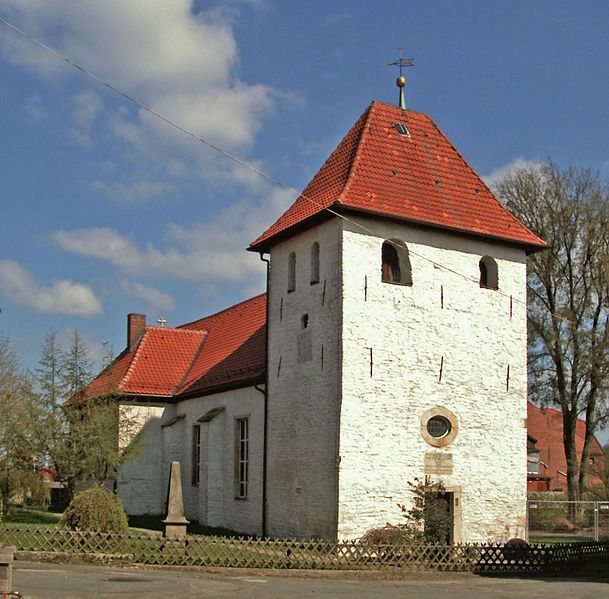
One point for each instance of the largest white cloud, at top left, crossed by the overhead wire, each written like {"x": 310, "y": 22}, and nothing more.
{"x": 178, "y": 62}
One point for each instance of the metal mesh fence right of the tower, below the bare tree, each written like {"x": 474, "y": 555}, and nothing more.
{"x": 565, "y": 521}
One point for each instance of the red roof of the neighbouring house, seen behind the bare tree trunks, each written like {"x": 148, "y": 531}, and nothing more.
{"x": 546, "y": 426}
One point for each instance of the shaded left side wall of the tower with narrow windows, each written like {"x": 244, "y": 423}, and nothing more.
{"x": 304, "y": 392}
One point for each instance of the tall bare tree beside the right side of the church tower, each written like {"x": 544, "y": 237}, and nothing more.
{"x": 568, "y": 299}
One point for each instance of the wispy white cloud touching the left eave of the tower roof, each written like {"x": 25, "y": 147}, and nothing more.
{"x": 208, "y": 253}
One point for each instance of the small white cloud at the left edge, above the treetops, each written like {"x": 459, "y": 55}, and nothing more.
{"x": 62, "y": 297}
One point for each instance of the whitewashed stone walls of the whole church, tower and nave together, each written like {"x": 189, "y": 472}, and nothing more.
{"x": 342, "y": 442}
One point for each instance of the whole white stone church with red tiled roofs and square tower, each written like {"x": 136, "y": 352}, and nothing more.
{"x": 390, "y": 345}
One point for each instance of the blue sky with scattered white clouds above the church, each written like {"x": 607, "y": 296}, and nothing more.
{"x": 107, "y": 211}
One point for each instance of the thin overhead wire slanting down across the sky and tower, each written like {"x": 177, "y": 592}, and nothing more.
{"x": 398, "y": 244}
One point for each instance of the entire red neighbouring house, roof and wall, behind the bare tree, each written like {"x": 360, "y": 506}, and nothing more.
{"x": 547, "y": 464}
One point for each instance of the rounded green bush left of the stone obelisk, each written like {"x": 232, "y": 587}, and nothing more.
{"x": 96, "y": 510}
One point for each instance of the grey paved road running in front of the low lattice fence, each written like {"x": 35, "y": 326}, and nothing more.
{"x": 58, "y": 581}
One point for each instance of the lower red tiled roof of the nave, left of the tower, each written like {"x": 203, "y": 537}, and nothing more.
{"x": 225, "y": 348}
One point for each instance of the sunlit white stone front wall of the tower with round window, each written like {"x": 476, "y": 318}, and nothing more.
{"x": 477, "y": 336}
